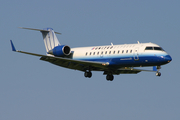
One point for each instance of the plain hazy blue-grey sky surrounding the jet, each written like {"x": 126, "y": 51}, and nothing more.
{"x": 31, "y": 89}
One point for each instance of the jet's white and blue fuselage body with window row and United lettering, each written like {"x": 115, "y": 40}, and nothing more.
{"x": 123, "y": 55}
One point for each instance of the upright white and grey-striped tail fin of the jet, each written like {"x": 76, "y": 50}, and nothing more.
{"x": 50, "y": 39}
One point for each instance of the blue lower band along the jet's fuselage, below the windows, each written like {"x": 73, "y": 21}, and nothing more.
{"x": 128, "y": 59}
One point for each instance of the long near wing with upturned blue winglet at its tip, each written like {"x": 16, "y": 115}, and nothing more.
{"x": 68, "y": 62}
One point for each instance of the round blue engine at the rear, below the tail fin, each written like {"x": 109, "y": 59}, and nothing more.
{"x": 60, "y": 51}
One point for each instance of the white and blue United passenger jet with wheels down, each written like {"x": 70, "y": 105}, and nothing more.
{"x": 110, "y": 59}
